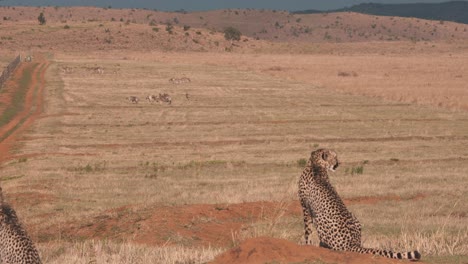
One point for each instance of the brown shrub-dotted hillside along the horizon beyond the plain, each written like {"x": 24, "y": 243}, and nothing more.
{"x": 280, "y": 26}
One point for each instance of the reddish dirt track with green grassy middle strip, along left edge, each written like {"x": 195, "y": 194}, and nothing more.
{"x": 28, "y": 79}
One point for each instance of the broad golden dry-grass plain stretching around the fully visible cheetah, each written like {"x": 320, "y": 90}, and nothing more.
{"x": 240, "y": 137}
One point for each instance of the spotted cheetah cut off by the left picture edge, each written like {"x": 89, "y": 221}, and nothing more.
{"x": 15, "y": 245}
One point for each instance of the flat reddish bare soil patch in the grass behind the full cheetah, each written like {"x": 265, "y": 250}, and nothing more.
{"x": 191, "y": 225}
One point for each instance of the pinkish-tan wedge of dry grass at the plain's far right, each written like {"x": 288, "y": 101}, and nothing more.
{"x": 419, "y": 73}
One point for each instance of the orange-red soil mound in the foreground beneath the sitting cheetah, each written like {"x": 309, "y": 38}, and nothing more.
{"x": 272, "y": 250}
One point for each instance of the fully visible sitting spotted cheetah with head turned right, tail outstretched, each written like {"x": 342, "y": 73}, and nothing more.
{"x": 323, "y": 208}
